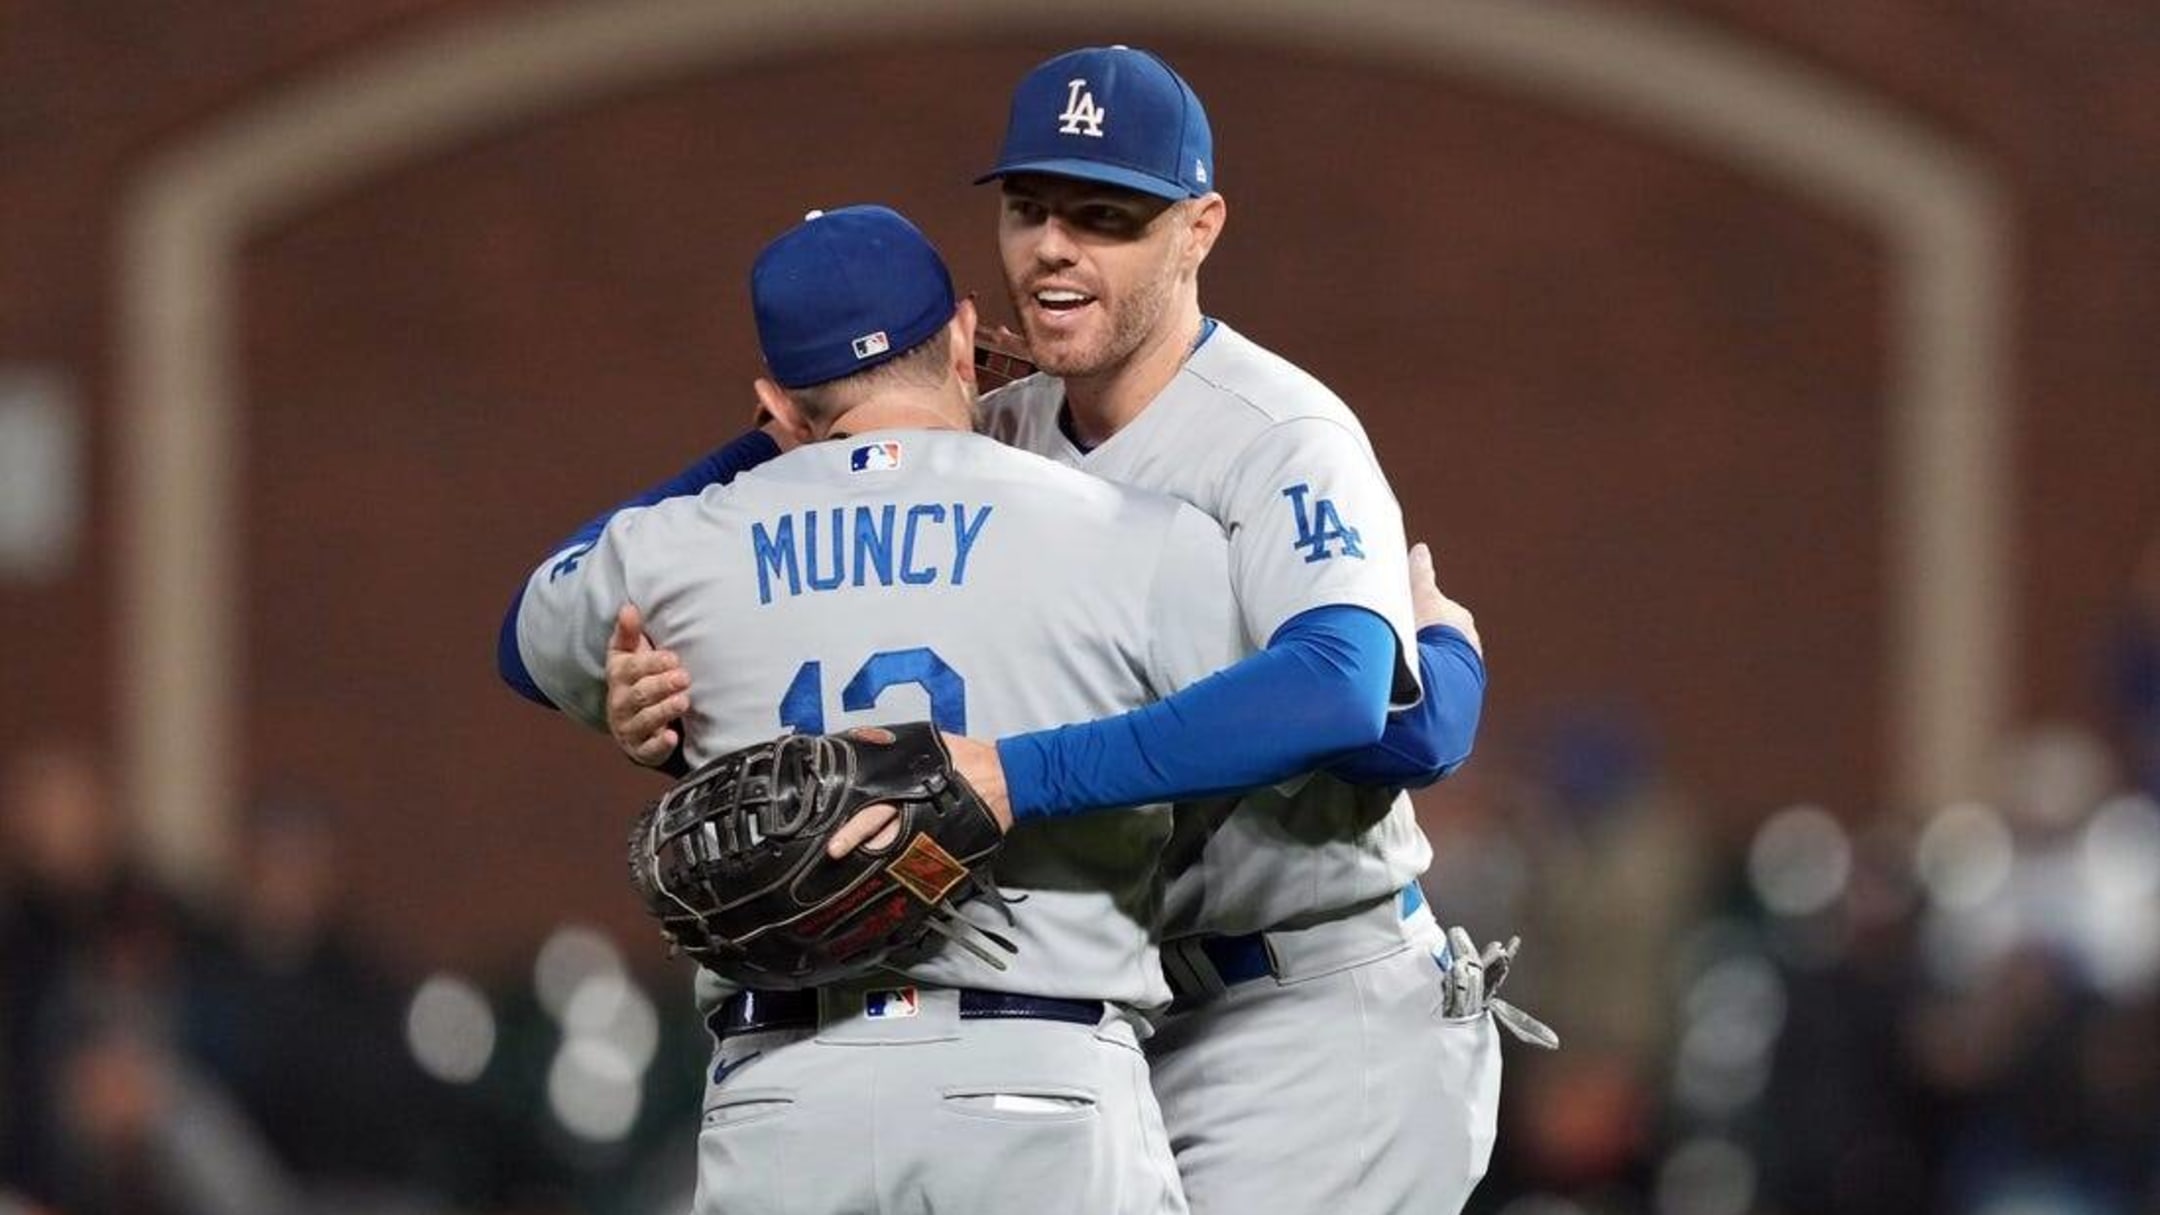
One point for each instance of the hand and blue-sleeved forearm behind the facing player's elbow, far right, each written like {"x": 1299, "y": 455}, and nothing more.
{"x": 1433, "y": 738}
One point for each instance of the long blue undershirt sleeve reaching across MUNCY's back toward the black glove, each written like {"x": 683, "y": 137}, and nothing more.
{"x": 1319, "y": 691}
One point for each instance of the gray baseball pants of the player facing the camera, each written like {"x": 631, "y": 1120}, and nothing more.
{"x": 1332, "y": 1084}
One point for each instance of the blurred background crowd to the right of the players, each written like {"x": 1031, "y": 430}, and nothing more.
{"x": 1833, "y": 1015}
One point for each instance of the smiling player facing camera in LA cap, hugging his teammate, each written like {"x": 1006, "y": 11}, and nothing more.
{"x": 1295, "y": 935}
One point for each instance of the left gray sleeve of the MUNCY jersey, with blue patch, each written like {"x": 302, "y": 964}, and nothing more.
{"x": 569, "y": 613}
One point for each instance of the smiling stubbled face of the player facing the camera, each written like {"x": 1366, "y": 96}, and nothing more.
{"x": 1090, "y": 269}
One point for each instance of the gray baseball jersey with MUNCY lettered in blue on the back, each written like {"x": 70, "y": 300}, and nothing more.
{"x": 908, "y": 576}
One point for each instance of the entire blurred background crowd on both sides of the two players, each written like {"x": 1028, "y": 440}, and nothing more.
{"x": 1835, "y": 1013}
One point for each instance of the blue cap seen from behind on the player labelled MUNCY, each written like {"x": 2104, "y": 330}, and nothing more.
{"x": 843, "y": 293}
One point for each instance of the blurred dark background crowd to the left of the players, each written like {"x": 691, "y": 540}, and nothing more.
{"x": 170, "y": 1058}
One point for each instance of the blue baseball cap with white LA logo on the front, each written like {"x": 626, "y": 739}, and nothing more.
{"x": 1109, "y": 114}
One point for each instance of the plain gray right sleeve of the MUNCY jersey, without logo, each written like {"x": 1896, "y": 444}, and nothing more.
{"x": 1196, "y": 628}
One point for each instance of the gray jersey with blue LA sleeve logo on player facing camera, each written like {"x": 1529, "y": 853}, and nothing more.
{"x": 1284, "y": 466}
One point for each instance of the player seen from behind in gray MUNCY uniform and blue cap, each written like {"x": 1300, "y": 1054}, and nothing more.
{"x": 915, "y": 570}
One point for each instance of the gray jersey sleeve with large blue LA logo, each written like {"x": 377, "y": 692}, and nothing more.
{"x": 1314, "y": 524}
